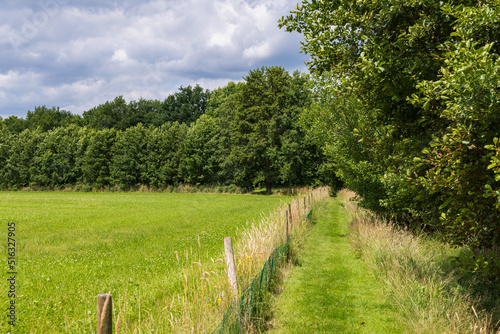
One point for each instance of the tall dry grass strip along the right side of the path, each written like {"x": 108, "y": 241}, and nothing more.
{"x": 417, "y": 275}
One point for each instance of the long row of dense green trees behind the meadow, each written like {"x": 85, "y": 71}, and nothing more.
{"x": 245, "y": 134}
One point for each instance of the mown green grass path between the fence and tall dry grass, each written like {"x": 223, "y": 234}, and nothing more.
{"x": 330, "y": 290}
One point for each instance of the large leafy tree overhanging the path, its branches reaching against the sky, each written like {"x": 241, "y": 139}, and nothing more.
{"x": 371, "y": 61}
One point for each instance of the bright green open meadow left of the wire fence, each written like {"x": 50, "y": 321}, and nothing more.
{"x": 72, "y": 246}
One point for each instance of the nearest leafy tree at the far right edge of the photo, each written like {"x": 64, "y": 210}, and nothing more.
{"x": 460, "y": 169}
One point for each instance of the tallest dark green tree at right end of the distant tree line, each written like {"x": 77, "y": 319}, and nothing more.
{"x": 262, "y": 138}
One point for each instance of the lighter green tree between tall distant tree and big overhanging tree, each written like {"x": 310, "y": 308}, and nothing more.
{"x": 339, "y": 123}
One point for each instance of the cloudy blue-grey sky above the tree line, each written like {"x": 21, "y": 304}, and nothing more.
{"x": 77, "y": 54}
